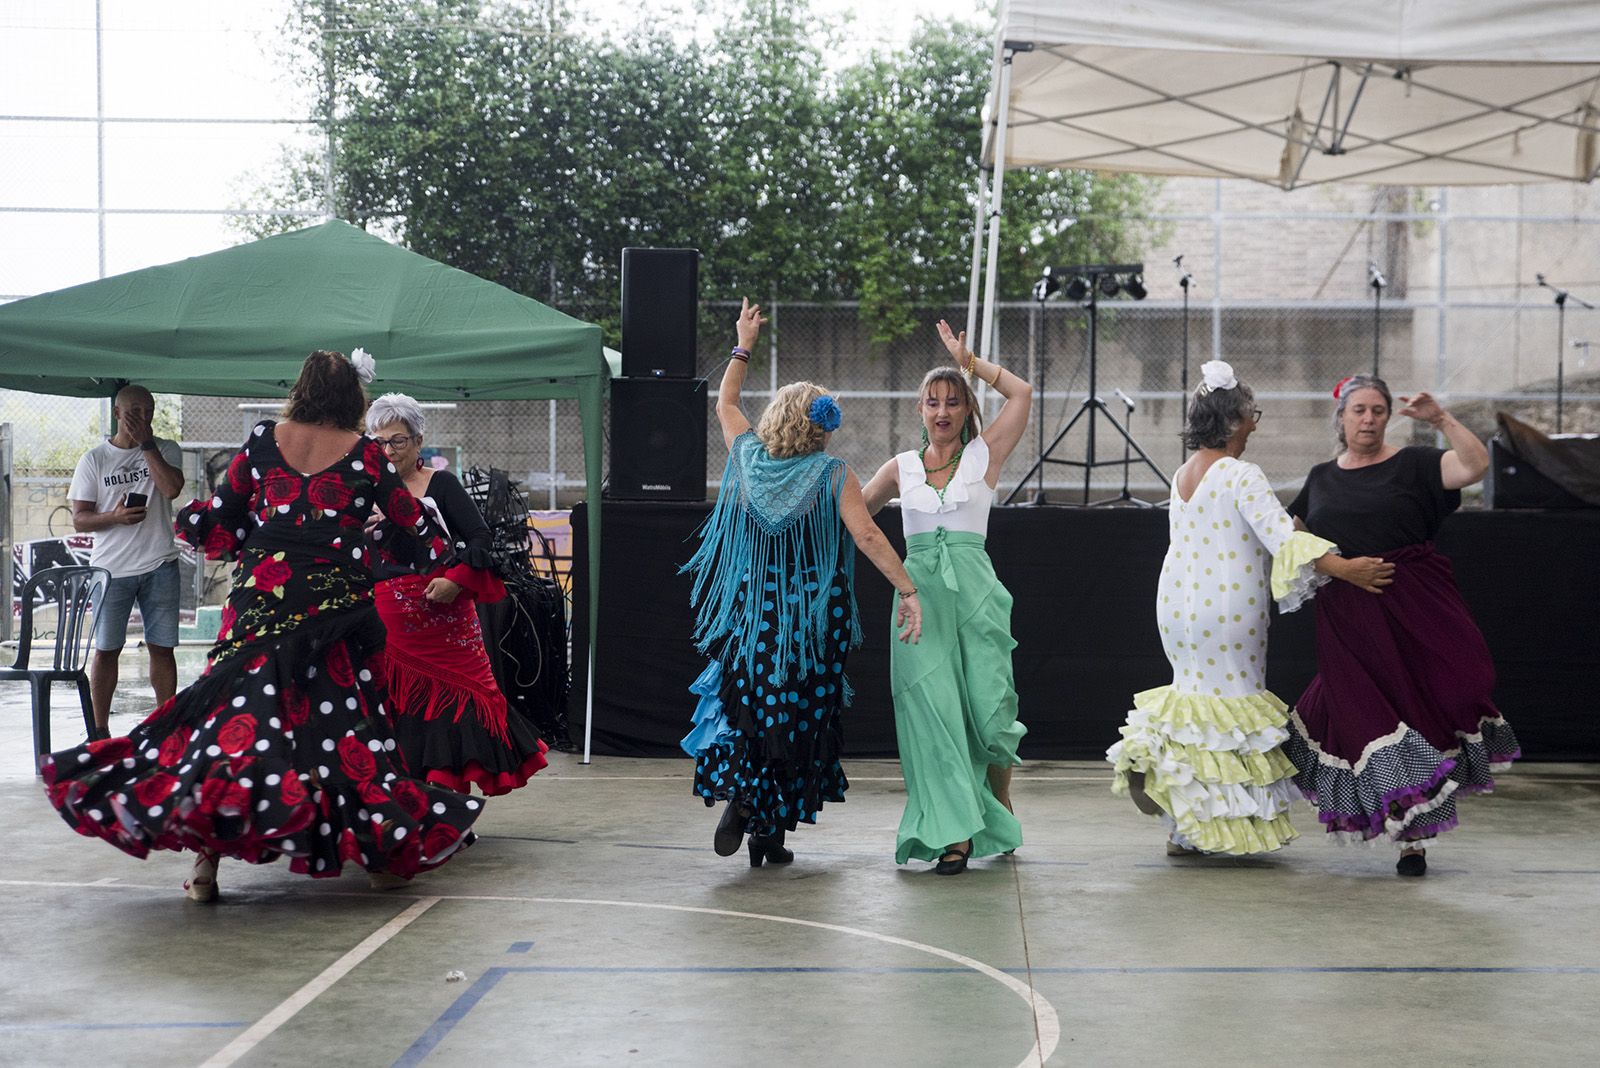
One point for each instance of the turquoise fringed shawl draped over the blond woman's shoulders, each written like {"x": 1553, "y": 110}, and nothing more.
{"x": 772, "y": 514}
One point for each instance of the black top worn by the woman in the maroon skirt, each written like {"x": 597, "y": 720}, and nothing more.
{"x": 1370, "y": 511}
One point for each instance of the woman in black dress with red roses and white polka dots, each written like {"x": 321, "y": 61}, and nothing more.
{"x": 281, "y": 747}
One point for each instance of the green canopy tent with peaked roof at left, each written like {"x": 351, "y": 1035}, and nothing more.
{"x": 239, "y": 324}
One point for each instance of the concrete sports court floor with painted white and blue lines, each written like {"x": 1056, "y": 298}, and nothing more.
{"x": 594, "y": 925}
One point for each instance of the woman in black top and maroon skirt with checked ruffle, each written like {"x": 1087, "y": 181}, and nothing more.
{"x": 1399, "y": 719}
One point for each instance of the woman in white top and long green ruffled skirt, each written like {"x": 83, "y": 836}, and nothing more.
{"x": 954, "y": 701}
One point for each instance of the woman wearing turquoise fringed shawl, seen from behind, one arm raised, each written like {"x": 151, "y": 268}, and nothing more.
{"x": 775, "y": 589}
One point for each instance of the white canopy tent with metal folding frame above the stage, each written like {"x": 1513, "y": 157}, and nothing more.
{"x": 1290, "y": 94}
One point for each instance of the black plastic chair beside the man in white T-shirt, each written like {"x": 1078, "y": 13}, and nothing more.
{"x": 76, "y": 591}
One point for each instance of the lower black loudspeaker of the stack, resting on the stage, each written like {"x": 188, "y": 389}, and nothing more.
{"x": 658, "y": 440}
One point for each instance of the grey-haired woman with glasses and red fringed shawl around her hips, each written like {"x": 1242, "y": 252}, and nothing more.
{"x": 447, "y": 709}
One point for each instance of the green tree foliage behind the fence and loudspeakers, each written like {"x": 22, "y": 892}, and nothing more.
{"x": 513, "y": 143}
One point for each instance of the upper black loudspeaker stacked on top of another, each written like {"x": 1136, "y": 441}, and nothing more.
{"x": 660, "y": 311}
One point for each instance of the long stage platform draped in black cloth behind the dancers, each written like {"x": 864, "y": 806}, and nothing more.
{"x": 1084, "y": 583}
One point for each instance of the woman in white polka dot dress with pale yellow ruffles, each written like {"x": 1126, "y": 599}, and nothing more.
{"x": 1204, "y": 754}
